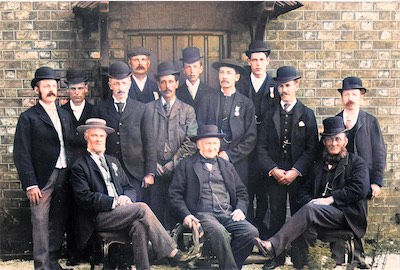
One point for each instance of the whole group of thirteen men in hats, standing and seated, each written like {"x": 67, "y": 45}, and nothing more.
{"x": 156, "y": 153}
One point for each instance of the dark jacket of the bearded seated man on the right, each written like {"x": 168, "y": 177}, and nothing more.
{"x": 350, "y": 187}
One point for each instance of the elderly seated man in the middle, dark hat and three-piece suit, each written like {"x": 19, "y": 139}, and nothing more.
{"x": 206, "y": 189}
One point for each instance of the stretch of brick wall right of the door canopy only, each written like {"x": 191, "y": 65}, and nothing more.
{"x": 328, "y": 41}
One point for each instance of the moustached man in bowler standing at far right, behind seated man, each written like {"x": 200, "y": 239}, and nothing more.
{"x": 366, "y": 140}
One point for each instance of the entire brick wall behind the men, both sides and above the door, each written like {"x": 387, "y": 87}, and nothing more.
{"x": 326, "y": 41}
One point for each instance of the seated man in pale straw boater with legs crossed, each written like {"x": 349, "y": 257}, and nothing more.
{"x": 104, "y": 201}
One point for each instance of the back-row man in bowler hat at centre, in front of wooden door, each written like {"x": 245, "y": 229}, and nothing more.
{"x": 192, "y": 91}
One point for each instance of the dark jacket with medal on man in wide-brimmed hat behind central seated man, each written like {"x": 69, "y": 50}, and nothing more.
{"x": 243, "y": 126}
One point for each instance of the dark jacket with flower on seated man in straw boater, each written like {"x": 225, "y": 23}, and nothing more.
{"x": 91, "y": 195}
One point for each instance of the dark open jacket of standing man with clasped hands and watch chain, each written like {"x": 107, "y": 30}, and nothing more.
{"x": 304, "y": 139}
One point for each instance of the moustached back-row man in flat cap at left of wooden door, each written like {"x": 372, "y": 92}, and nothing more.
{"x": 143, "y": 89}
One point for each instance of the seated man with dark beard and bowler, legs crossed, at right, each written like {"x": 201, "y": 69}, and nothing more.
{"x": 333, "y": 197}
